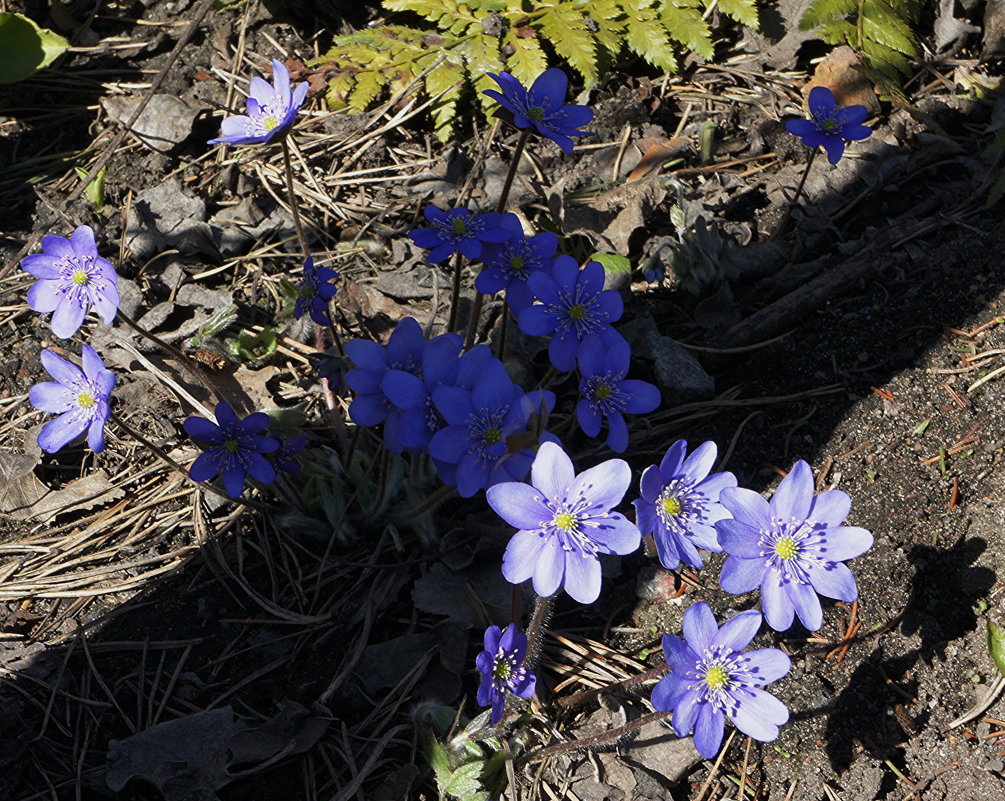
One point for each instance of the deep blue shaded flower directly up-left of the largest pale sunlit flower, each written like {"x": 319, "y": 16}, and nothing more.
{"x": 480, "y": 423}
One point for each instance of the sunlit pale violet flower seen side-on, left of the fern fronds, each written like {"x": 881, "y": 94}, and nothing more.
{"x": 271, "y": 110}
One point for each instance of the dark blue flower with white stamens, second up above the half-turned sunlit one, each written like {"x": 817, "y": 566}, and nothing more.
{"x": 574, "y": 306}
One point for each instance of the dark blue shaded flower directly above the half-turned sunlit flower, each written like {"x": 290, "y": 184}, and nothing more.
{"x": 605, "y": 391}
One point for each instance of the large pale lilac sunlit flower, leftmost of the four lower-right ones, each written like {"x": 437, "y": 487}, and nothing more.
{"x": 565, "y": 523}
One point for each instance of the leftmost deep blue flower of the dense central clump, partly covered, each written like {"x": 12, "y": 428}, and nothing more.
{"x": 371, "y": 406}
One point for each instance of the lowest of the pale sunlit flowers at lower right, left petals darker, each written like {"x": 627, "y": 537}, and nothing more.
{"x": 711, "y": 680}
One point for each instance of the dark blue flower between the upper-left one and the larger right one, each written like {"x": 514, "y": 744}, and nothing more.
{"x": 511, "y": 264}
